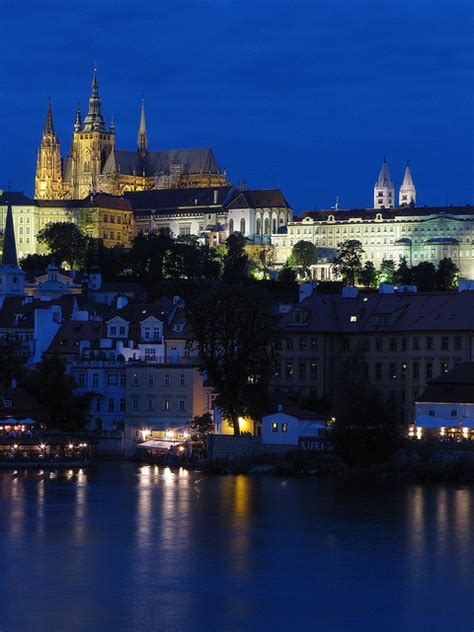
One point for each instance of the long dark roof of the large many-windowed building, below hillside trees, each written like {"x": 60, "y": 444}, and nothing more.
{"x": 372, "y": 312}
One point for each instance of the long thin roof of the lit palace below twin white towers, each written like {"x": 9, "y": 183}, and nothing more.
{"x": 388, "y": 214}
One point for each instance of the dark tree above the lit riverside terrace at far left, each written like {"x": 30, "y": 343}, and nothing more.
{"x": 55, "y": 390}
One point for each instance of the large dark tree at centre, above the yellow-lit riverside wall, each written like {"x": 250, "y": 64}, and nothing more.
{"x": 234, "y": 330}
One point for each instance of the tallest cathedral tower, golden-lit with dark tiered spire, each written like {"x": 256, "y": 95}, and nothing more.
{"x": 91, "y": 146}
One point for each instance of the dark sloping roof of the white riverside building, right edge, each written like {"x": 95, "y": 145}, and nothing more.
{"x": 456, "y": 386}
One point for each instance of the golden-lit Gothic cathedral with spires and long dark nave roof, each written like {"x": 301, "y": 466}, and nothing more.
{"x": 94, "y": 164}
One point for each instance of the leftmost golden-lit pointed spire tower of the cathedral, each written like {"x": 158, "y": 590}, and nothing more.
{"x": 48, "y": 181}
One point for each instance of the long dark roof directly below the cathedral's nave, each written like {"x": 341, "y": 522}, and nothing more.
{"x": 170, "y": 199}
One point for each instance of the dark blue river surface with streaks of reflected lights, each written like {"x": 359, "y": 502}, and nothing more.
{"x": 134, "y": 547}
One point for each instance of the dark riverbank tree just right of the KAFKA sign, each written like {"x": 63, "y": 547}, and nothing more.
{"x": 366, "y": 428}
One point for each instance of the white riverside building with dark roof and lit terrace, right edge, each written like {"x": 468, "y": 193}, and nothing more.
{"x": 445, "y": 410}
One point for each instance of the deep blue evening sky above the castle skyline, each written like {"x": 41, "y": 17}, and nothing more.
{"x": 304, "y": 95}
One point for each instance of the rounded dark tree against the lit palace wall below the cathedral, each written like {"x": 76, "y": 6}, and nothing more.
{"x": 65, "y": 241}
